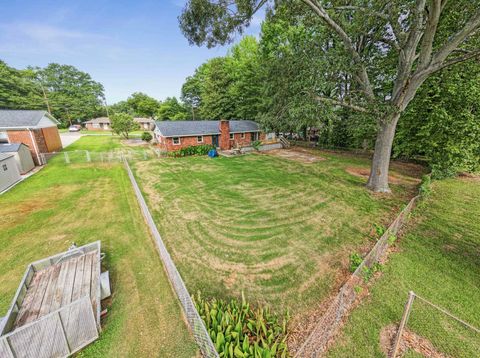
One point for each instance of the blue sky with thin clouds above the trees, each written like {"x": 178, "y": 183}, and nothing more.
{"x": 128, "y": 46}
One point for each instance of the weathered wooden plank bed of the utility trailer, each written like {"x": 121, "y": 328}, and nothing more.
{"x": 60, "y": 284}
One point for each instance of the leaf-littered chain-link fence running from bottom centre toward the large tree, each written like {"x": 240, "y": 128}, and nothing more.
{"x": 329, "y": 324}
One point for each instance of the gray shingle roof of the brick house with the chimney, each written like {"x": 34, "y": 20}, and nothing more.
{"x": 191, "y": 128}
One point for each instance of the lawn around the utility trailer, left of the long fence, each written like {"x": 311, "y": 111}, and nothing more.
{"x": 83, "y": 203}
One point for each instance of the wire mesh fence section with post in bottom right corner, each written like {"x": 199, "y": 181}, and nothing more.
{"x": 430, "y": 330}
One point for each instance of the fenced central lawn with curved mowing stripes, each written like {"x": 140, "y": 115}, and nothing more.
{"x": 278, "y": 229}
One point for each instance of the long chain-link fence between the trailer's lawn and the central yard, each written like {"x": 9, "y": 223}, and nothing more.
{"x": 194, "y": 320}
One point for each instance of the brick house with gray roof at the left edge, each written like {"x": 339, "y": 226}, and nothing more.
{"x": 36, "y": 129}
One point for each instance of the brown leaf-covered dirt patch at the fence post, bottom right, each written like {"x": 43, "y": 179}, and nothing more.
{"x": 410, "y": 341}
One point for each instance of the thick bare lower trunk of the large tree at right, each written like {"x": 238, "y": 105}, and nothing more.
{"x": 378, "y": 180}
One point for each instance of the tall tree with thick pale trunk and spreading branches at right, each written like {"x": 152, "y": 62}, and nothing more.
{"x": 391, "y": 48}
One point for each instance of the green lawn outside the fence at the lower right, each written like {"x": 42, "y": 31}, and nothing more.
{"x": 439, "y": 259}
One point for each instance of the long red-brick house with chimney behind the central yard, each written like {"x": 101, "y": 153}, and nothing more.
{"x": 173, "y": 135}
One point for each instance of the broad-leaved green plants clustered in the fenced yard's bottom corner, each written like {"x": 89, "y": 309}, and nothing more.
{"x": 238, "y": 330}
